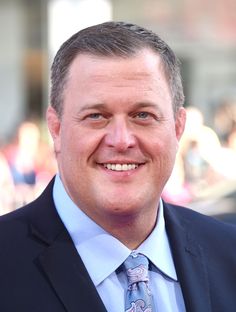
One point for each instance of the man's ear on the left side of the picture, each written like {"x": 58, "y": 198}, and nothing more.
{"x": 54, "y": 126}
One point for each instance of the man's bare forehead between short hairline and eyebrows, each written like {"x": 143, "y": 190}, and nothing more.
{"x": 100, "y": 79}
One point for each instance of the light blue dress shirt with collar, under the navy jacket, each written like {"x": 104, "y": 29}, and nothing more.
{"x": 103, "y": 254}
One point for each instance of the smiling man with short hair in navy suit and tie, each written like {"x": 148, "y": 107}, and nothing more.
{"x": 116, "y": 118}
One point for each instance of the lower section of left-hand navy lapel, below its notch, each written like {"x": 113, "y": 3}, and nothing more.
{"x": 69, "y": 277}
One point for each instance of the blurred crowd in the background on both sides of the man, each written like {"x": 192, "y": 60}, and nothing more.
{"x": 206, "y": 158}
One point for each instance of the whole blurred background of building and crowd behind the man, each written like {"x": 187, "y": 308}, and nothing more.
{"x": 203, "y": 35}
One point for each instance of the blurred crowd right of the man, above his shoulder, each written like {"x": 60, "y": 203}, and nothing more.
{"x": 206, "y": 160}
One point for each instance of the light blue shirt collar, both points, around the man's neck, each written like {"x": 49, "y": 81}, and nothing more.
{"x": 98, "y": 248}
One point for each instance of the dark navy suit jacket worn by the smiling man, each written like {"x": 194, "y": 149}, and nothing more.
{"x": 40, "y": 270}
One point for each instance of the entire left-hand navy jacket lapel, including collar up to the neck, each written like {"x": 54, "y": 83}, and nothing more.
{"x": 60, "y": 261}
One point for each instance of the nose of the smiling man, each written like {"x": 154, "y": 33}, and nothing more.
{"x": 120, "y": 135}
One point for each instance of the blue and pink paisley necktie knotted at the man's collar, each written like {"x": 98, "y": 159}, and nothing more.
{"x": 138, "y": 297}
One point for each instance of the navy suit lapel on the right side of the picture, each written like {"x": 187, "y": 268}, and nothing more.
{"x": 189, "y": 262}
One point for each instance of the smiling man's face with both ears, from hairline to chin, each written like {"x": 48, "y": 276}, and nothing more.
{"x": 117, "y": 138}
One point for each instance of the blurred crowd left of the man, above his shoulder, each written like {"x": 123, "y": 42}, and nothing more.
{"x": 27, "y": 164}
